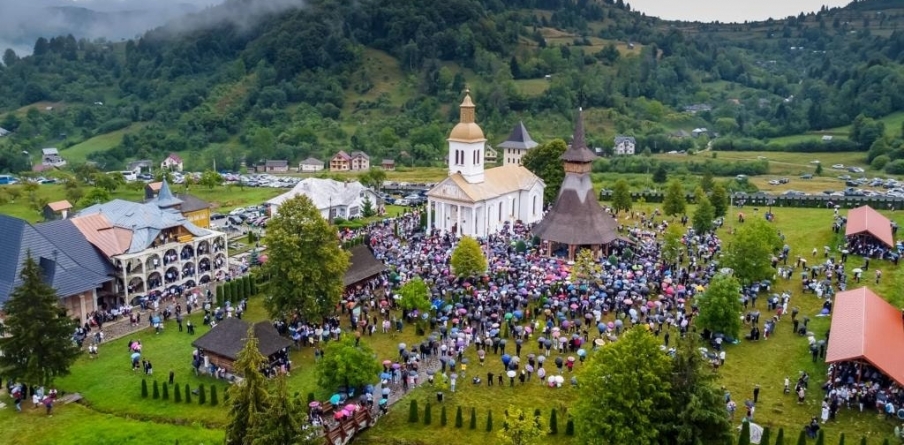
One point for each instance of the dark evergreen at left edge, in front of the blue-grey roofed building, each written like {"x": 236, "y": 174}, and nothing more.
{"x": 37, "y": 346}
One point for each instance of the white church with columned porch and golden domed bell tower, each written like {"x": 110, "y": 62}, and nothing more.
{"x": 474, "y": 201}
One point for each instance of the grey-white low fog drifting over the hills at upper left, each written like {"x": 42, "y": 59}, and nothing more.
{"x": 22, "y": 22}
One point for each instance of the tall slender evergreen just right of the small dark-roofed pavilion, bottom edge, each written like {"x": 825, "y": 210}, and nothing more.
{"x": 249, "y": 400}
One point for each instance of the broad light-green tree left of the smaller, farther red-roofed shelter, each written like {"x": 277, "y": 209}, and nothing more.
{"x": 750, "y": 253}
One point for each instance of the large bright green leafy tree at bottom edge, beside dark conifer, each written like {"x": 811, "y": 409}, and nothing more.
{"x": 625, "y": 387}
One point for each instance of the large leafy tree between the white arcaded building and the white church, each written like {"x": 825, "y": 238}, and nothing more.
{"x": 309, "y": 284}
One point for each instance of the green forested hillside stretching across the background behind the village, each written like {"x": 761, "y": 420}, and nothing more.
{"x": 244, "y": 82}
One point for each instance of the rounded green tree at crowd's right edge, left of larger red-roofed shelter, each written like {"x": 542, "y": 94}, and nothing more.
{"x": 720, "y": 307}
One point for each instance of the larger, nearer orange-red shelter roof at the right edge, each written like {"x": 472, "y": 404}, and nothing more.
{"x": 866, "y": 327}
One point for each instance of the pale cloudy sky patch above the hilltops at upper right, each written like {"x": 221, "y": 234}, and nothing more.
{"x": 729, "y": 10}
